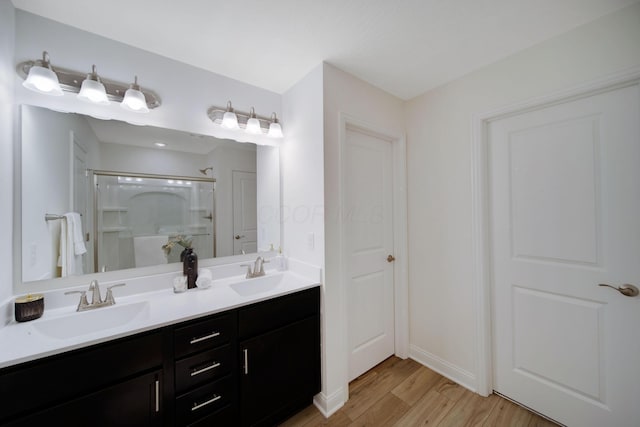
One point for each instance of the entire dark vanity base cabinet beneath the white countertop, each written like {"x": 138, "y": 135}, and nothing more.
{"x": 253, "y": 364}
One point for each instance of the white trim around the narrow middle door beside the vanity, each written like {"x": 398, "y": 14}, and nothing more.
{"x": 401, "y": 285}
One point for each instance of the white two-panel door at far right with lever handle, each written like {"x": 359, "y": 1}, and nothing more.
{"x": 565, "y": 217}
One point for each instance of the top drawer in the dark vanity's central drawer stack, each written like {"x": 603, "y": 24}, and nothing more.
{"x": 203, "y": 335}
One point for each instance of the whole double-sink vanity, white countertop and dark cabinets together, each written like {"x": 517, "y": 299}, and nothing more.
{"x": 244, "y": 351}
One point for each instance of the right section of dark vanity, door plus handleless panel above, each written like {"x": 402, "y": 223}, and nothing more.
{"x": 280, "y": 362}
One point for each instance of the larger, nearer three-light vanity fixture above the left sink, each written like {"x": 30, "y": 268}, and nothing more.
{"x": 41, "y": 77}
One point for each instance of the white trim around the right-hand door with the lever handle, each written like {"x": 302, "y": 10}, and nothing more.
{"x": 480, "y": 209}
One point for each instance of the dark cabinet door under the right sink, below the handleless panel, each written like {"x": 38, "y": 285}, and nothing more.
{"x": 280, "y": 372}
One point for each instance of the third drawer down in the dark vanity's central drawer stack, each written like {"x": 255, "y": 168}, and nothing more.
{"x": 205, "y": 400}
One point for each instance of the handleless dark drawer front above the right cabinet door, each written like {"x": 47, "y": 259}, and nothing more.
{"x": 275, "y": 313}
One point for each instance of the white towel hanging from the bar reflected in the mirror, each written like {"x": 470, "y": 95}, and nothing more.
{"x": 71, "y": 245}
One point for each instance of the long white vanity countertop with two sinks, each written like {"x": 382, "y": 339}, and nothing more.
{"x": 62, "y": 328}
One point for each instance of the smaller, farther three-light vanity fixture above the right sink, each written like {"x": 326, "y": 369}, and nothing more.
{"x": 228, "y": 118}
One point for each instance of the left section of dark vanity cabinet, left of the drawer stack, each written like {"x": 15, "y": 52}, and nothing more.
{"x": 116, "y": 383}
